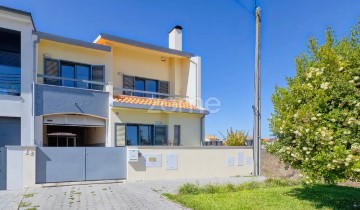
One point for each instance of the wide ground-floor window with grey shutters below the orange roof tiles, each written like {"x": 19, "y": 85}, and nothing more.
{"x": 137, "y": 134}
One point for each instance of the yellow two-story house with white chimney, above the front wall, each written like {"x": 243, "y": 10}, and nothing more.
{"x": 116, "y": 92}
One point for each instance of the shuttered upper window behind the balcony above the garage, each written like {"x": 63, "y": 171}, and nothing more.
{"x": 73, "y": 70}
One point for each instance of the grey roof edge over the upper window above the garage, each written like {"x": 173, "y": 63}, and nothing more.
{"x": 70, "y": 41}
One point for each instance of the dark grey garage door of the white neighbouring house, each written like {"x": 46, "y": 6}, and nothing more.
{"x": 10, "y": 131}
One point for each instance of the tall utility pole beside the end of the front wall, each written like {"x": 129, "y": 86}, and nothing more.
{"x": 257, "y": 116}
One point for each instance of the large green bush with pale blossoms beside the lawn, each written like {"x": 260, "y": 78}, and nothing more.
{"x": 316, "y": 116}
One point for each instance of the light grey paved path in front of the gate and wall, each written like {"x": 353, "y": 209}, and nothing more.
{"x": 105, "y": 195}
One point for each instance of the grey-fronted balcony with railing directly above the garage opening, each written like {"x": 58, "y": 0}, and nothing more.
{"x": 82, "y": 97}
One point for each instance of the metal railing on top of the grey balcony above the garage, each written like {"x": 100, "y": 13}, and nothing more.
{"x": 85, "y": 84}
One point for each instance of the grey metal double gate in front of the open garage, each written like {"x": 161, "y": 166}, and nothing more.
{"x": 63, "y": 164}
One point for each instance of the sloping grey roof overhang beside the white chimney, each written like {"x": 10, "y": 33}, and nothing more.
{"x": 107, "y": 37}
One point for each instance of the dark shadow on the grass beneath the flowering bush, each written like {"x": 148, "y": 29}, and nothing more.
{"x": 329, "y": 196}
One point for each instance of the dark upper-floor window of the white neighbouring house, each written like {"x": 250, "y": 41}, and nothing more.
{"x": 10, "y": 62}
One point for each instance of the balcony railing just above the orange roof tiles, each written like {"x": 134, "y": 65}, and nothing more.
{"x": 147, "y": 94}
